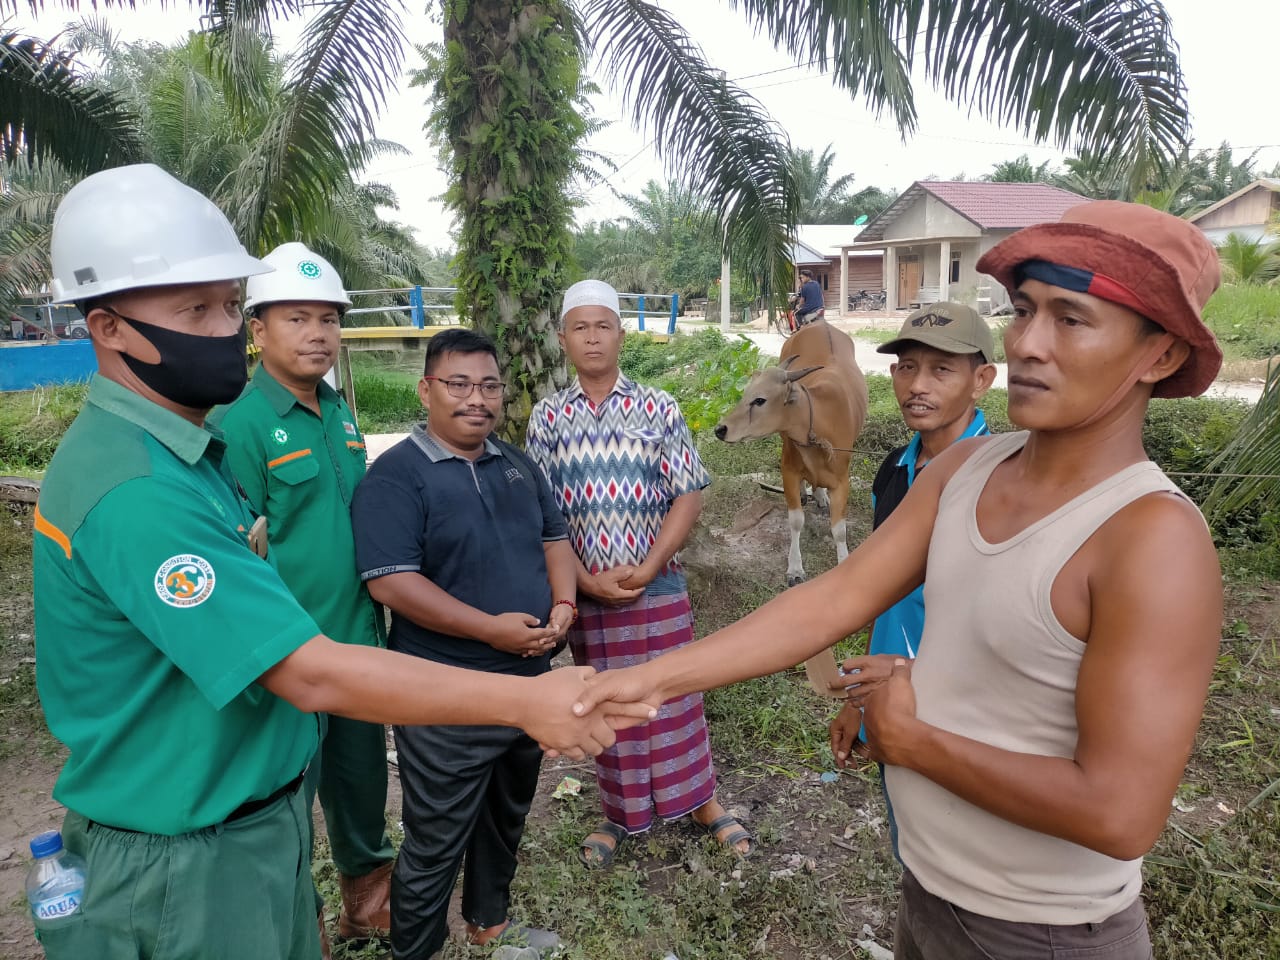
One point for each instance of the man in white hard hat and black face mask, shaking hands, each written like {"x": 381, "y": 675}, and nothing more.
{"x": 172, "y": 661}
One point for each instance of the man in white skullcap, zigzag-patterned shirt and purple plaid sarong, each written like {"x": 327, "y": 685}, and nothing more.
{"x": 628, "y": 477}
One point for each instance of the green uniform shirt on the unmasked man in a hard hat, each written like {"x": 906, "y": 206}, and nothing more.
{"x": 300, "y": 472}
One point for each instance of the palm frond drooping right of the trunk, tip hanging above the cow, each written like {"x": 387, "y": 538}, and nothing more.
{"x": 716, "y": 139}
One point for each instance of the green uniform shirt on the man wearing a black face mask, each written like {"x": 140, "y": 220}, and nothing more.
{"x": 153, "y": 623}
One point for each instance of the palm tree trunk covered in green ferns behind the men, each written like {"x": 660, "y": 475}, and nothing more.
{"x": 510, "y": 106}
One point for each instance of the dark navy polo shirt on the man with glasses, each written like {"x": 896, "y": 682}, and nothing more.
{"x": 476, "y": 529}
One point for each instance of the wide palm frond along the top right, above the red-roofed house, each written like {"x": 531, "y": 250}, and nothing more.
{"x": 1099, "y": 76}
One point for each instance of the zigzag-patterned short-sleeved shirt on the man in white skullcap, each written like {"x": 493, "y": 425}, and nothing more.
{"x": 616, "y": 469}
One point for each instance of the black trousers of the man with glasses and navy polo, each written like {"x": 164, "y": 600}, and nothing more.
{"x": 467, "y": 793}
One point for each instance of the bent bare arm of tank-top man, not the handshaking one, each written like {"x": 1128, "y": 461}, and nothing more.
{"x": 1156, "y": 609}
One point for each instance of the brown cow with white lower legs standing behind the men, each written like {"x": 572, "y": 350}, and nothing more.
{"x": 816, "y": 397}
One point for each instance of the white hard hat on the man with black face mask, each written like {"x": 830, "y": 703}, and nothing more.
{"x": 135, "y": 227}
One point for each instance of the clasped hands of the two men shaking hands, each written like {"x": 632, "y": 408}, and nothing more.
{"x": 577, "y": 712}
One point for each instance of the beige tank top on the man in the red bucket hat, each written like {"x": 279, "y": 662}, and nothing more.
{"x": 996, "y": 666}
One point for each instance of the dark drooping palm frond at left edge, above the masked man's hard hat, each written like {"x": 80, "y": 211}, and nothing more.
{"x": 52, "y": 112}
